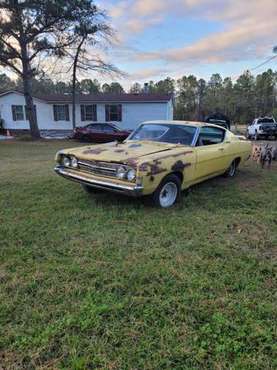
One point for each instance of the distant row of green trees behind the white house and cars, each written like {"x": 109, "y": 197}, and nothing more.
{"x": 241, "y": 100}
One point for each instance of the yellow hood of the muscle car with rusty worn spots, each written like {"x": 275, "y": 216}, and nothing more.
{"x": 120, "y": 152}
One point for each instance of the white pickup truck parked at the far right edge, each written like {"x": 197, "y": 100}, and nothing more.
{"x": 263, "y": 127}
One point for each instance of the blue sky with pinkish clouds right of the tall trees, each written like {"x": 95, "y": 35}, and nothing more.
{"x": 160, "y": 38}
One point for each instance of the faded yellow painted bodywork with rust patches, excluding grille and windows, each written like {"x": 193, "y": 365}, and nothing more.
{"x": 154, "y": 160}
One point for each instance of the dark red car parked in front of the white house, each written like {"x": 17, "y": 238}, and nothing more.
{"x": 100, "y": 133}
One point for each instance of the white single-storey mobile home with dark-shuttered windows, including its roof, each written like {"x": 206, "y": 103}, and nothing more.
{"x": 54, "y": 112}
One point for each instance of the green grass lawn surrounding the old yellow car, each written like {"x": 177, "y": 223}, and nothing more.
{"x": 107, "y": 282}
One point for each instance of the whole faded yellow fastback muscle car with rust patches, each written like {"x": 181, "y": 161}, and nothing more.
{"x": 160, "y": 158}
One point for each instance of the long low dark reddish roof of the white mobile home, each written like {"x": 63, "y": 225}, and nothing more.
{"x": 100, "y": 98}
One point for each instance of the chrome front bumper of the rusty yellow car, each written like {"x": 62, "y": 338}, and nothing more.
{"x": 130, "y": 190}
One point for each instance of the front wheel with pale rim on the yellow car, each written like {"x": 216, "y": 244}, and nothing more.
{"x": 168, "y": 192}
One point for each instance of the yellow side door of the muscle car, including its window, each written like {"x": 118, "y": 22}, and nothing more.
{"x": 211, "y": 158}
